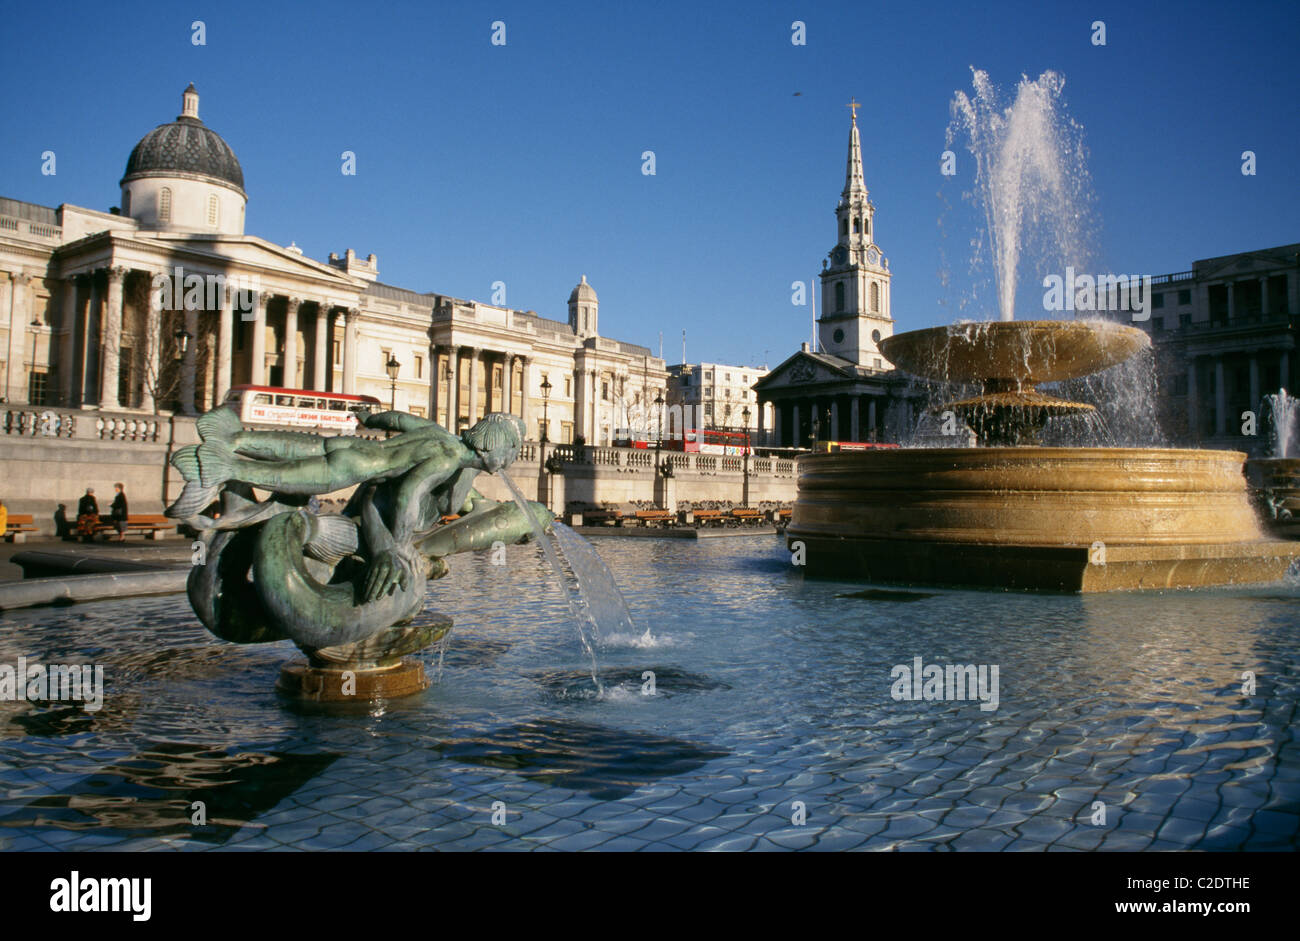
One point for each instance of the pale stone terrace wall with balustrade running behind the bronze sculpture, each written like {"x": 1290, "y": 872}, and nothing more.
{"x": 51, "y": 456}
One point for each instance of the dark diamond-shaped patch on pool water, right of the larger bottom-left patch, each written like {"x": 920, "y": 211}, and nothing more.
{"x": 605, "y": 764}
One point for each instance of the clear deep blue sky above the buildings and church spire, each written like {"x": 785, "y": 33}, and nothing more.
{"x": 479, "y": 163}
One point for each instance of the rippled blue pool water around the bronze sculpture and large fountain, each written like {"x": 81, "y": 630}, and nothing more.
{"x": 770, "y": 726}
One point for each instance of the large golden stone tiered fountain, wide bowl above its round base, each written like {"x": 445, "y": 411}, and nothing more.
{"x": 1077, "y": 519}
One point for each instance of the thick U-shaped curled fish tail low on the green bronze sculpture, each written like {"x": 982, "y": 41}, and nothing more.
{"x": 314, "y": 614}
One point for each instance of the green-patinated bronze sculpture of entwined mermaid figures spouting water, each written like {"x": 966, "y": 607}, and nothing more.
{"x": 340, "y": 586}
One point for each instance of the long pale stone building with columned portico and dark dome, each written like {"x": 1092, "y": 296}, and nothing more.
{"x": 164, "y": 305}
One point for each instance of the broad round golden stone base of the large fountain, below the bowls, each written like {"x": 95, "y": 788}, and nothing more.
{"x": 1055, "y": 519}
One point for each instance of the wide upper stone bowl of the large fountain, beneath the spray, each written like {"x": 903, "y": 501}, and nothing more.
{"x": 1017, "y": 352}
